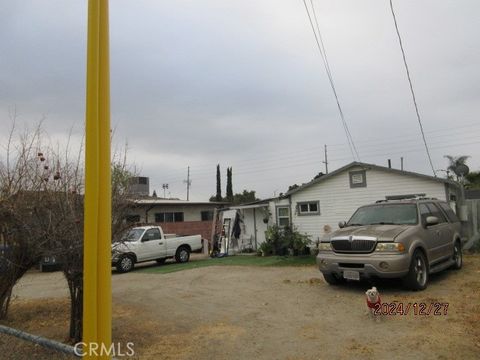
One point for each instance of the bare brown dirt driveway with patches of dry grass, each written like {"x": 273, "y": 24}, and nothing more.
{"x": 268, "y": 313}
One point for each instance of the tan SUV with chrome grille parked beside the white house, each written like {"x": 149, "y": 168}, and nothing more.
{"x": 406, "y": 238}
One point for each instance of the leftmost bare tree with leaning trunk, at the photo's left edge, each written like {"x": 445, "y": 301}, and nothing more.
{"x": 20, "y": 182}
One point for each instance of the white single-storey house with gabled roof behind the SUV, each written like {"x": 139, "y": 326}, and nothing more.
{"x": 335, "y": 196}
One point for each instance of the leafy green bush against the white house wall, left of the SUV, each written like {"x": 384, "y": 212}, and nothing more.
{"x": 282, "y": 241}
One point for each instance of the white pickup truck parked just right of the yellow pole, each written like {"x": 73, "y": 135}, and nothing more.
{"x": 148, "y": 243}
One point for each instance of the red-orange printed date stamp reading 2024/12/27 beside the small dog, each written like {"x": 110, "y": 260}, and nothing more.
{"x": 417, "y": 309}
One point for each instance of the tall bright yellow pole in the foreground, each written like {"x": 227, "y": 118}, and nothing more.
{"x": 97, "y": 223}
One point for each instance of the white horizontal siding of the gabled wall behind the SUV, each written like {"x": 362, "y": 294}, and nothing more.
{"x": 338, "y": 201}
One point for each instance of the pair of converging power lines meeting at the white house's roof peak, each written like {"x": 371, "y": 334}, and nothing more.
{"x": 323, "y": 54}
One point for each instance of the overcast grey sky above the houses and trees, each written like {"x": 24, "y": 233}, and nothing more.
{"x": 241, "y": 83}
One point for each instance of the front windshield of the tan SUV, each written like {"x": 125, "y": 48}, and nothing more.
{"x": 396, "y": 214}
